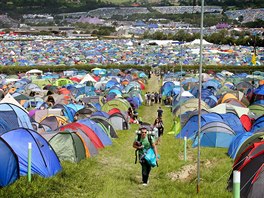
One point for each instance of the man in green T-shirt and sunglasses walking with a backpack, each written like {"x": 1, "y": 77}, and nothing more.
{"x": 142, "y": 143}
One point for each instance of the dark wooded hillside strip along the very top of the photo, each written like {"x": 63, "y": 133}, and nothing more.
{"x": 58, "y": 6}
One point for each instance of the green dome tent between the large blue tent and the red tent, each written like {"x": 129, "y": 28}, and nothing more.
{"x": 68, "y": 146}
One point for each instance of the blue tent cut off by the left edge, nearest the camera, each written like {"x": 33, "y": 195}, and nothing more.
{"x": 9, "y": 168}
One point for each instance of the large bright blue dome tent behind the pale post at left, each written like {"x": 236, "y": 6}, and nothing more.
{"x": 44, "y": 160}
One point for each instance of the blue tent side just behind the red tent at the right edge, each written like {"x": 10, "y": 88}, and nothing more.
{"x": 237, "y": 141}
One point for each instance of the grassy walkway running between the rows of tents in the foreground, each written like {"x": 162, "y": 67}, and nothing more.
{"x": 113, "y": 173}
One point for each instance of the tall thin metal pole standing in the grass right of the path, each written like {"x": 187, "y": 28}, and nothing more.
{"x": 200, "y": 96}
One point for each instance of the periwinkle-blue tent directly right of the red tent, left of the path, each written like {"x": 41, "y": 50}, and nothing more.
{"x": 98, "y": 130}
